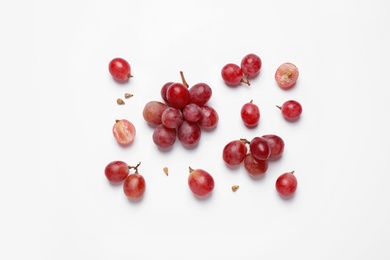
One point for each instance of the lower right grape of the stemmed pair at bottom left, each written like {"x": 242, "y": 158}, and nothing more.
{"x": 134, "y": 186}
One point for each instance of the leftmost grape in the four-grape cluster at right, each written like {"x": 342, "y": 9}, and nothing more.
{"x": 234, "y": 153}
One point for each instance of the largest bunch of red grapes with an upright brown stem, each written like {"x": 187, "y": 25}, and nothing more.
{"x": 182, "y": 114}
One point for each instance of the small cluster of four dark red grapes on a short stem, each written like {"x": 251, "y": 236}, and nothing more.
{"x": 261, "y": 150}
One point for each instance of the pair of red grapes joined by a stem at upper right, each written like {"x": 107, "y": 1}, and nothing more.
{"x": 233, "y": 74}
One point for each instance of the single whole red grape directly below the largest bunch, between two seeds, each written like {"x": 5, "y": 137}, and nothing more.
{"x": 201, "y": 183}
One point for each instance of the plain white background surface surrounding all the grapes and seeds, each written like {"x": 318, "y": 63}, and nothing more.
{"x": 58, "y": 105}
